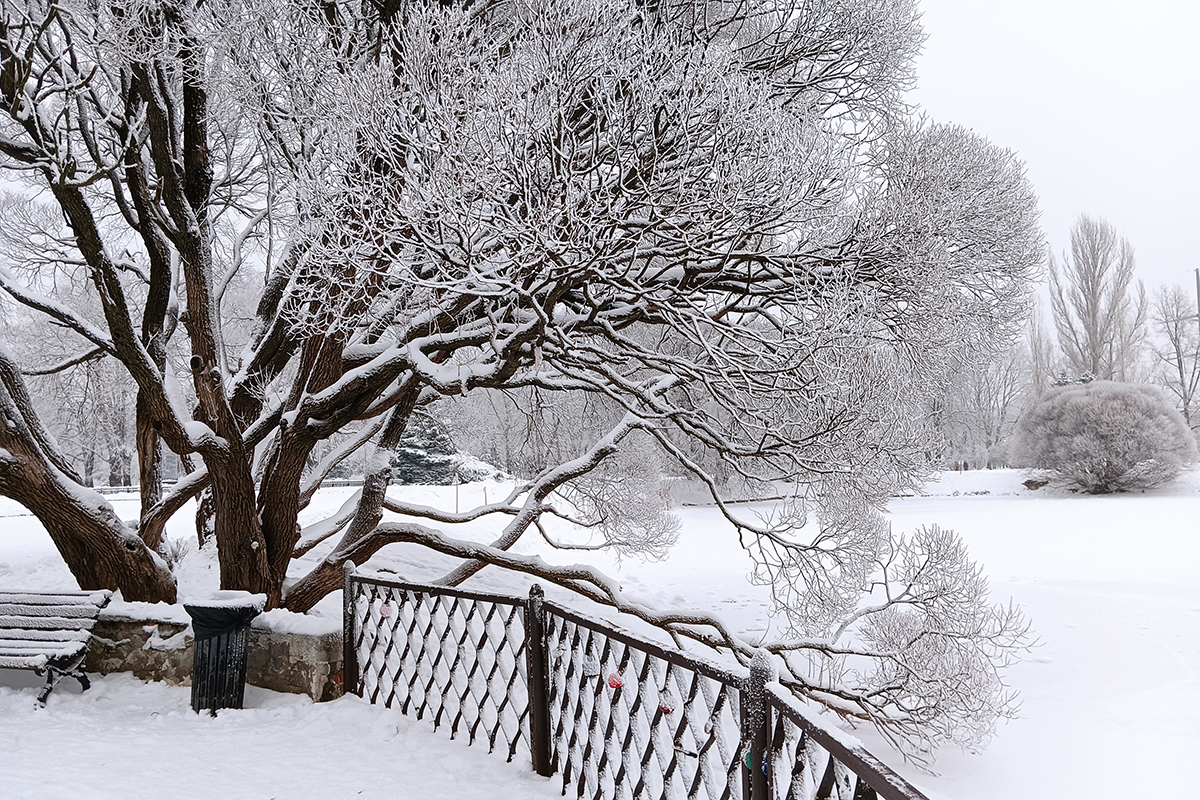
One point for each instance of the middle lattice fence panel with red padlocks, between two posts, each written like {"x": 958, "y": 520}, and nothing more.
{"x": 629, "y": 720}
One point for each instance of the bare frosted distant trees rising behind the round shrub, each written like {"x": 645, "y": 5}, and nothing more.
{"x": 1103, "y": 326}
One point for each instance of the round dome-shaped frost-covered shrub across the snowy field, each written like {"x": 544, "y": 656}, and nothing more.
{"x": 1106, "y": 437}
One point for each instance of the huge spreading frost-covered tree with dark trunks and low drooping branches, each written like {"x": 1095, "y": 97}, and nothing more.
{"x": 718, "y": 220}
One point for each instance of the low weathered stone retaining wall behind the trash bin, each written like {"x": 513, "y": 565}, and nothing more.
{"x": 163, "y": 651}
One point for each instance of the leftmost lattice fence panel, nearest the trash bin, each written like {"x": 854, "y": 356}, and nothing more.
{"x": 454, "y": 658}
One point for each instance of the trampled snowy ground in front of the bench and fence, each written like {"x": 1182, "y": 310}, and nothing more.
{"x": 130, "y": 741}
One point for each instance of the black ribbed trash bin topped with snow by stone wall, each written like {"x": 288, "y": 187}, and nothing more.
{"x": 219, "y": 669}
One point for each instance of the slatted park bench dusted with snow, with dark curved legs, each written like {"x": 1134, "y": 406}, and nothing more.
{"x": 49, "y": 633}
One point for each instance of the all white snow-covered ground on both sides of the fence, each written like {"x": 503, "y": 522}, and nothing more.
{"x": 1111, "y": 697}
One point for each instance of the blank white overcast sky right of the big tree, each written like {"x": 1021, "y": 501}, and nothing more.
{"x": 1100, "y": 99}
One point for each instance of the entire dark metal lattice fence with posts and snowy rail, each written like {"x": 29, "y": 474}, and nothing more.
{"x": 615, "y": 715}
